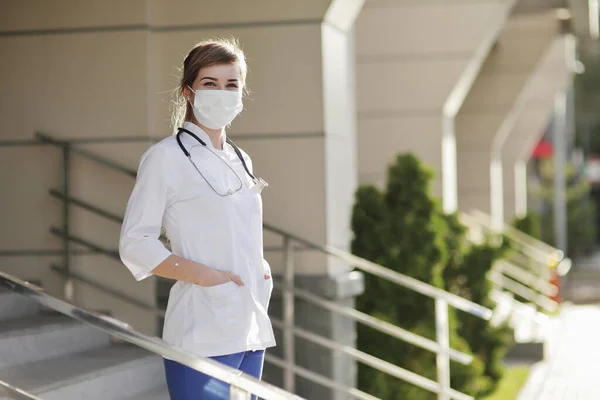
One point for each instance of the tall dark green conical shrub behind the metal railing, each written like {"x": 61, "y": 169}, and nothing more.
{"x": 403, "y": 229}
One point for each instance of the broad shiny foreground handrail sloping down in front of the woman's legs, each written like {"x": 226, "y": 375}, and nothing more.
{"x": 240, "y": 382}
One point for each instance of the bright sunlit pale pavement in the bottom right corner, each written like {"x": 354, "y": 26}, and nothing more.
{"x": 572, "y": 367}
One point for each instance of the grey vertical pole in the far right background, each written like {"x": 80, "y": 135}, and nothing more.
{"x": 560, "y": 154}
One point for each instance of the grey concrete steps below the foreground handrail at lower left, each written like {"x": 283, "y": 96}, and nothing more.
{"x": 55, "y": 357}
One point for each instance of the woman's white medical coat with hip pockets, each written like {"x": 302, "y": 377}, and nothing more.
{"x": 224, "y": 233}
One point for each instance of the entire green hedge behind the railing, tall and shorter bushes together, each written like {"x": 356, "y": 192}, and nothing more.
{"x": 402, "y": 227}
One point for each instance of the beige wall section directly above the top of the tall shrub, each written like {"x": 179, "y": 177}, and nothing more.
{"x": 410, "y": 56}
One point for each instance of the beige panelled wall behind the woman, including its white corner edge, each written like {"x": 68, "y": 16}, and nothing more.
{"x": 104, "y": 69}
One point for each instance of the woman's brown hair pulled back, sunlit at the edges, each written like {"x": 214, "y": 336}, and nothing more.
{"x": 209, "y": 52}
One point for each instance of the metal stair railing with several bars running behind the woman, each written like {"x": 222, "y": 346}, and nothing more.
{"x": 443, "y": 299}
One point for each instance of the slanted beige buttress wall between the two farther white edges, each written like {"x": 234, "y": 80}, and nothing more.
{"x": 517, "y": 58}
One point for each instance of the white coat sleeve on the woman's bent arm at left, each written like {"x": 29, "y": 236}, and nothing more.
{"x": 140, "y": 248}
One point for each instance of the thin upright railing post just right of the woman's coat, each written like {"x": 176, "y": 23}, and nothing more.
{"x": 288, "y": 315}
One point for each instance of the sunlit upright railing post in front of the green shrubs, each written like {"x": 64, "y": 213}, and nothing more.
{"x": 443, "y": 339}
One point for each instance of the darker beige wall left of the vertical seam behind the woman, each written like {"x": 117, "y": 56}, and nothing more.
{"x": 79, "y": 84}
